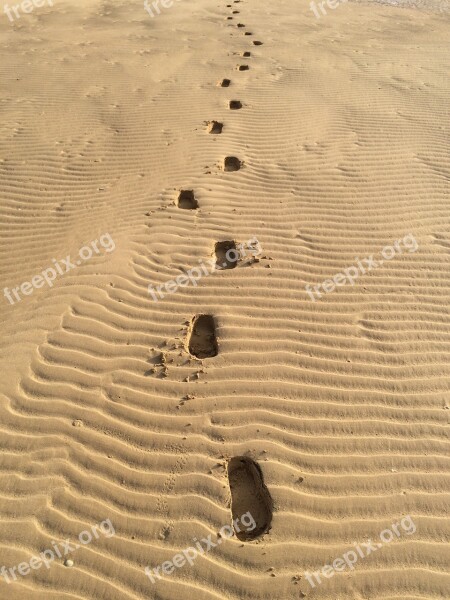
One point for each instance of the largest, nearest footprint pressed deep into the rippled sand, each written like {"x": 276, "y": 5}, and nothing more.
{"x": 249, "y": 495}
